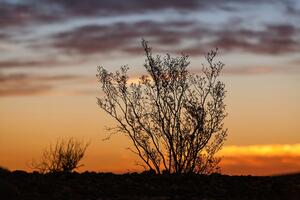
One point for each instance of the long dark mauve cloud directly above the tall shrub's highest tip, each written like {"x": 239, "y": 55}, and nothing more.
{"x": 120, "y": 36}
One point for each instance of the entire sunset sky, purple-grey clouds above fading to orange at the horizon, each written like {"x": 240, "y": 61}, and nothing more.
{"x": 50, "y": 50}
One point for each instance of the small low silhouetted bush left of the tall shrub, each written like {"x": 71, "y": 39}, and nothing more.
{"x": 64, "y": 156}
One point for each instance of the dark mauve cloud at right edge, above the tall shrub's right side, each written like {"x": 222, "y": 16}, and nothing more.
{"x": 274, "y": 39}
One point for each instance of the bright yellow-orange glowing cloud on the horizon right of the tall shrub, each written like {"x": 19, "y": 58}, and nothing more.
{"x": 261, "y": 159}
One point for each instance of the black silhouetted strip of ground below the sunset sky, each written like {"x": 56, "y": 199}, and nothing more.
{"x": 101, "y": 186}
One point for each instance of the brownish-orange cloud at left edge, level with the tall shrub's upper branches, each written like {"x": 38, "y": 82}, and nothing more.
{"x": 20, "y": 84}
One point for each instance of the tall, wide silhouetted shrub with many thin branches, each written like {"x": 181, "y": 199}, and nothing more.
{"x": 173, "y": 118}
